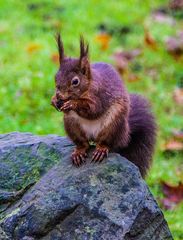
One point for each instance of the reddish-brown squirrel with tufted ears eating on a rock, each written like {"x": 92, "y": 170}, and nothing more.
{"x": 98, "y": 108}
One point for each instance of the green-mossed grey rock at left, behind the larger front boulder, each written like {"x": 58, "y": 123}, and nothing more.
{"x": 24, "y": 158}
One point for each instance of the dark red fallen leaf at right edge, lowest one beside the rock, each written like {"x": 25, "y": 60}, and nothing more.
{"x": 173, "y": 194}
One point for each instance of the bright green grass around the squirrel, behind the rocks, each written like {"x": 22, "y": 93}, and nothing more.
{"x": 27, "y": 79}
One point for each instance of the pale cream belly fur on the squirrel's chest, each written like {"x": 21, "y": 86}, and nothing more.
{"x": 92, "y": 128}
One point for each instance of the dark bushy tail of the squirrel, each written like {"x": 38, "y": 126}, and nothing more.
{"x": 142, "y": 134}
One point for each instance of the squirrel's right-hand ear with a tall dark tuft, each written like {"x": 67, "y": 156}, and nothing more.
{"x": 84, "y": 57}
